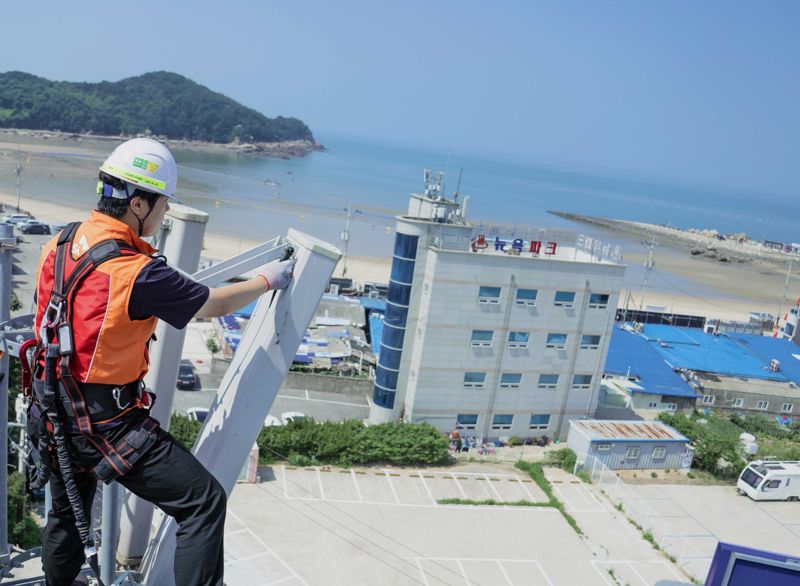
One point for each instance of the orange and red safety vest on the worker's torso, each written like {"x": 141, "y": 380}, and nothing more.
{"x": 109, "y": 347}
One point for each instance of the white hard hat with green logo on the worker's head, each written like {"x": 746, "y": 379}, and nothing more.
{"x": 145, "y": 163}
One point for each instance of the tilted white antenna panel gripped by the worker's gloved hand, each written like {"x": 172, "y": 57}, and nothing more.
{"x": 246, "y": 393}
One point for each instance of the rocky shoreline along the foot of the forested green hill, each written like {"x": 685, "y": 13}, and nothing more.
{"x": 284, "y": 150}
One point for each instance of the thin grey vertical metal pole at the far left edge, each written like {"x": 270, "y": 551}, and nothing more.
{"x": 7, "y": 243}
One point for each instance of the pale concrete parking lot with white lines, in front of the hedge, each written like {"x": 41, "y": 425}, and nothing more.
{"x": 332, "y": 526}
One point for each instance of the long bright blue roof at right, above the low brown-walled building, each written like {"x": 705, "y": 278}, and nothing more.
{"x": 727, "y": 354}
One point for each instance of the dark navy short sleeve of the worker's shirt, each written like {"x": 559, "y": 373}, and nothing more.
{"x": 163, "y": 292}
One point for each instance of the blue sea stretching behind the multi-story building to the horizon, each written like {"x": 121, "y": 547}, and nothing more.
{"x": 256, "y": 198}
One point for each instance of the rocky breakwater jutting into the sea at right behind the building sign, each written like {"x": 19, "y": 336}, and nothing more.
{"x": 725, "y": 248}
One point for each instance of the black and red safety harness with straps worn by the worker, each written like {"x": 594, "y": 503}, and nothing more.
{"x": 61, "y": 405}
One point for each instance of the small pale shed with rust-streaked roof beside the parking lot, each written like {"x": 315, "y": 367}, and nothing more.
{"x": 629, "y": 444}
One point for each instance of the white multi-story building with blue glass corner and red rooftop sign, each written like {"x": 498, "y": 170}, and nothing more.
{"x": 493, "y": 334}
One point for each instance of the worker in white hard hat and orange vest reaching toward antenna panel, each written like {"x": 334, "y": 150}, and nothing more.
{"x": 100, "y": 291}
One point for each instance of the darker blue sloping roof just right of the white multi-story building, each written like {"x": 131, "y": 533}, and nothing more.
{"x": 631, "y": 351}
